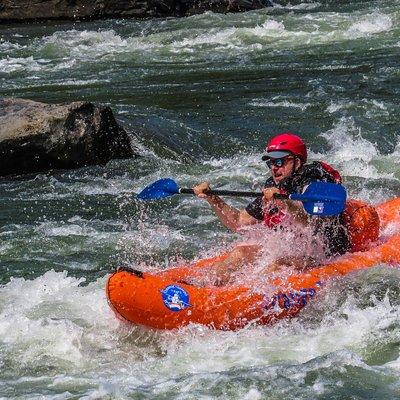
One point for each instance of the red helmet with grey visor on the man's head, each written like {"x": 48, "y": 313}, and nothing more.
{"x": 286, "y": 143}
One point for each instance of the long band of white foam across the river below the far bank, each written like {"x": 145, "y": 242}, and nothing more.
{"x": 67, "y": 49}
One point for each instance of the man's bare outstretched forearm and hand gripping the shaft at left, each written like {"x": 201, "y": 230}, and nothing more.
{"x": 230, "y": 216}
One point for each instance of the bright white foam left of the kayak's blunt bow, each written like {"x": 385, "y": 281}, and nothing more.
{"x": 48, "y": 317}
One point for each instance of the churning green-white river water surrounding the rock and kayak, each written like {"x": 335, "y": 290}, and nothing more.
{"x": 202, "y": 95}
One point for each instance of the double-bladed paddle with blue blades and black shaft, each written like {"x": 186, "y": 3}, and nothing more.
{"x": 320, "y": 198}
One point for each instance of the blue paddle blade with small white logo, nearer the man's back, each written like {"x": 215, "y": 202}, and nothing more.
{"x": 323, "y": 199}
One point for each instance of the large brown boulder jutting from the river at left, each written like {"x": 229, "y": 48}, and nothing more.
{"x": 37, "y": 137}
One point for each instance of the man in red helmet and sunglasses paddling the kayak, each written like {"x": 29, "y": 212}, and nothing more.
{"x": 286, "y": 157}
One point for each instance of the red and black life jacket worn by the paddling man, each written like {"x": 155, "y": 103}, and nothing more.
{"x": 295, "y": 184}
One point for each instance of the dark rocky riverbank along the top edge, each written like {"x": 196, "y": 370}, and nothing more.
{"x": 28, "y": 10}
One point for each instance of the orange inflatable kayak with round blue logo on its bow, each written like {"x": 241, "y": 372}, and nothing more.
{"x": 165, "y": 301}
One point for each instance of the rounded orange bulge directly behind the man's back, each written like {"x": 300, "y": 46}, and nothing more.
{"x": 362, "y": 223}
